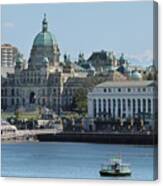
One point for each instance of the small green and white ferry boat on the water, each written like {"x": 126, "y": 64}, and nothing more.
{"x": 115, "y": 168}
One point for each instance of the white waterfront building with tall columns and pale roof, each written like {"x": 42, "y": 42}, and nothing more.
{"x": 122, "y": 99}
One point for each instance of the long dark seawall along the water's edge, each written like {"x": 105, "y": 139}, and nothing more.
{"x": 141, "y": 139}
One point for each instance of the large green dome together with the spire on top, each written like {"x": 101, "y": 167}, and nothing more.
{"x": 44, "y": 38}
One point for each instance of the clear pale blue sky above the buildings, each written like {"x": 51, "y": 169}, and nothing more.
{"x": 83, "y": 27}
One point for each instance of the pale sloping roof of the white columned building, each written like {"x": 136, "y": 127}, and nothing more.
{"x": 125, "y": 84}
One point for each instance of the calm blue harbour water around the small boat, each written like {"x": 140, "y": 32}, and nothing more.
{"x": 73, "y": 160}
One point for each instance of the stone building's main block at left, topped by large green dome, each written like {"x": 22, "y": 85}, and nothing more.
{"x": 40, "y": 83}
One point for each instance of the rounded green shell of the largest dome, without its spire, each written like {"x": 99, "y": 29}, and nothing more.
{"x": 44, "y": 39}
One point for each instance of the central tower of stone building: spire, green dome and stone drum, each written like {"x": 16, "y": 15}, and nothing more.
{"x": 44, "y": 45}
